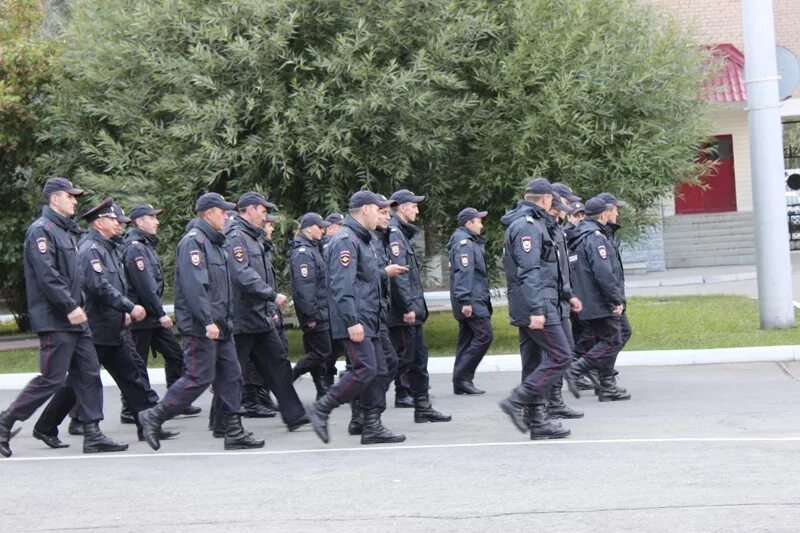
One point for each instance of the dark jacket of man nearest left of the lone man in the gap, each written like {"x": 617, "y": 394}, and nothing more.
{"x": 407, "y": 291}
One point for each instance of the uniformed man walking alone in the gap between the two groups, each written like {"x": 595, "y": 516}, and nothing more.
{"x": 469, "y": 298}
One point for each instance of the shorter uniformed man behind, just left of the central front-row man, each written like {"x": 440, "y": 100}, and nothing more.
{"x": 310, "y": 297}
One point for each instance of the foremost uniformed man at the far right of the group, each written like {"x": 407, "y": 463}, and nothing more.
{"x": 598, "y": 281}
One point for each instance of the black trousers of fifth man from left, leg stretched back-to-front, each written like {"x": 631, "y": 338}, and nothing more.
{"x": 268, "y": 354}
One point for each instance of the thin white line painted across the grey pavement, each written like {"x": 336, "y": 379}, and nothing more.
{"x": 564, "y": 442}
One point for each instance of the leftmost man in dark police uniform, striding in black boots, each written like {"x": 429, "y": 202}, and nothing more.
{"x": 55, "y": 304}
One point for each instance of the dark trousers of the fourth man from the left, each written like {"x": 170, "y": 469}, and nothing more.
{"x": 207, "y": 362}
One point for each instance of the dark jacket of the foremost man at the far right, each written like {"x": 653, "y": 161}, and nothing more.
{"x": 594, "y": 271}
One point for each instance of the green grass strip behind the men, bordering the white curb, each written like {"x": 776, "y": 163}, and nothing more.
{"x": 659, "y": 323}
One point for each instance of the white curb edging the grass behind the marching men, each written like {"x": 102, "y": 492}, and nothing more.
{"x": 512, "y": 363}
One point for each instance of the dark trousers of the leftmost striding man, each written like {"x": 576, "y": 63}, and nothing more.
{"x": 61, "y": 352}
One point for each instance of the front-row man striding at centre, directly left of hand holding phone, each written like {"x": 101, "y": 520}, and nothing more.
{"x": 354, "y": 282}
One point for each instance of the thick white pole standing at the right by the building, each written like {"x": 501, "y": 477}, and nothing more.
{"x": 773, "y": 263}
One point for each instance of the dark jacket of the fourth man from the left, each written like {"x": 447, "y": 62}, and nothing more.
{"x": 203, "y": 289}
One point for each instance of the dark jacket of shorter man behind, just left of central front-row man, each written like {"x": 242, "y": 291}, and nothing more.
{"x": 309, "y": 284}
